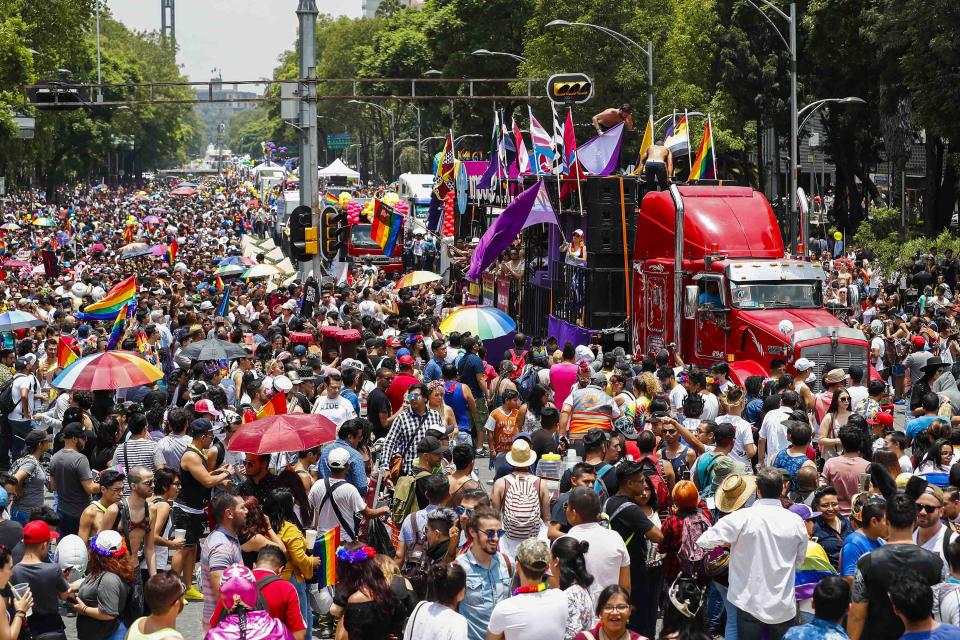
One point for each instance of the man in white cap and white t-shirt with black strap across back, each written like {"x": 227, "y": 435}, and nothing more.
{"x": 336, "y": 502}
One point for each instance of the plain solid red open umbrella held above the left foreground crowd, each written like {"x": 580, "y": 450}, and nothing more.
{"x": 286, "y": 432}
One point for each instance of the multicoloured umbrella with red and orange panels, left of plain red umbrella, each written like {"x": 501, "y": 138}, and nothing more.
{"x": 107, "y": 371}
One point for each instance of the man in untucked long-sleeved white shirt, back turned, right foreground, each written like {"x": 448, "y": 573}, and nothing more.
{"x": 767, "y": 545}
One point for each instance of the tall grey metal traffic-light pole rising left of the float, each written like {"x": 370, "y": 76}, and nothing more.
{"x": 309, "y": 188}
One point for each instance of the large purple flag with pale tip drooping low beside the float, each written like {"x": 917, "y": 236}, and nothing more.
{"x": 529, "y": 208}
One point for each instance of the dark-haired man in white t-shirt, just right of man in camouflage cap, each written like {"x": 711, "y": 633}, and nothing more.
{"x": 607, "y": 558}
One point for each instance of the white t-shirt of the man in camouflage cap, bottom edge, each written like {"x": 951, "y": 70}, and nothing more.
{"x": 532, "y": 616}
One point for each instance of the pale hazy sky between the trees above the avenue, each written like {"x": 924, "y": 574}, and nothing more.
{"x": 241, "y": 37}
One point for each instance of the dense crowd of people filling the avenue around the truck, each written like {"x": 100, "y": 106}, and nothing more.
{"x": 553, "y": 491}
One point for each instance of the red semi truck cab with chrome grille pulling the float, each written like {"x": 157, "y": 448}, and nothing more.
{"x": 709, "y": 275}
